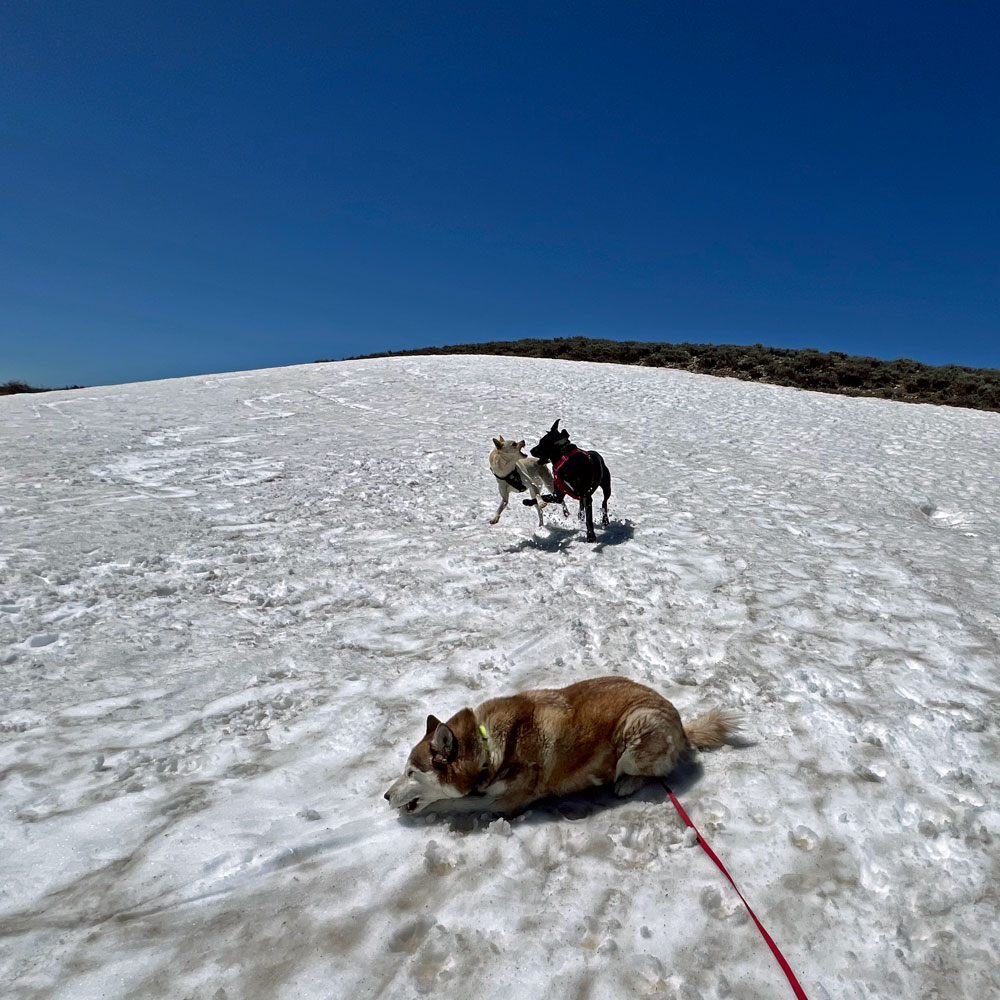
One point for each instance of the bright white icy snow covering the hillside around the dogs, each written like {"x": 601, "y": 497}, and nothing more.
{"x": 228, "y": 603}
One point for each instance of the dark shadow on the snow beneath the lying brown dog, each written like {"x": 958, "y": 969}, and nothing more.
{"x": 572, "y": 808}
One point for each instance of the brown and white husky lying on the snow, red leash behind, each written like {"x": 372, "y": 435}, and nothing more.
{"x": 509, "y": 752}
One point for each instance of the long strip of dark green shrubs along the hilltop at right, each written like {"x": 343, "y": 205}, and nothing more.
{"x": 833, "y": 371}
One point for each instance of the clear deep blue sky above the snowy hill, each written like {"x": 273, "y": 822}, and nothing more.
{"x": 195, "y": 187}
